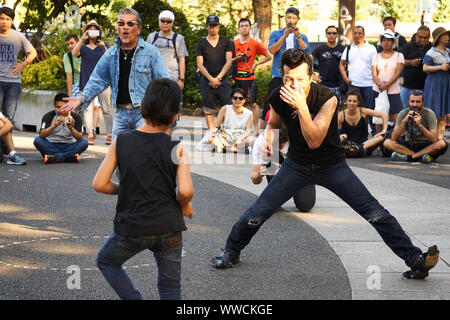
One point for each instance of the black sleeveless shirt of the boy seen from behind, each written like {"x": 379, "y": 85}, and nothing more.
{"x": 147, "y": 202}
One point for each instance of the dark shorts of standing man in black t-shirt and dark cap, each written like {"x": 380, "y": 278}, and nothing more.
{"x": 211, "y": 95}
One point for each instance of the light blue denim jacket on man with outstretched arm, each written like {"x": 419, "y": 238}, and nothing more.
{"x": 147, "y": 64}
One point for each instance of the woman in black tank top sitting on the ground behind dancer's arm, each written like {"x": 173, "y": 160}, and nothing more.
{"x": 353, "y": 127}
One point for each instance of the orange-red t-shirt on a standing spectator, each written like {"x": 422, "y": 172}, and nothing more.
{"x": 251, "y": 49}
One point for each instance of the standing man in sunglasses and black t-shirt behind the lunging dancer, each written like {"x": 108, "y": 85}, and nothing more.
{"x": 329, "y": 55}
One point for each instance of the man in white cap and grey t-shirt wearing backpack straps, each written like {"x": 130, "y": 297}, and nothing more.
{"x": 172, "y": 48}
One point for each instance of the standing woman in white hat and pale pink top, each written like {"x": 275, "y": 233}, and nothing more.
{"x": 387, "y": 67}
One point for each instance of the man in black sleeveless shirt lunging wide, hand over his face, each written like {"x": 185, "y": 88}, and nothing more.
{"x": 315, "y": 156}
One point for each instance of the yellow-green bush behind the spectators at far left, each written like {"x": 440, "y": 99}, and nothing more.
{"x": 47, "y": 74}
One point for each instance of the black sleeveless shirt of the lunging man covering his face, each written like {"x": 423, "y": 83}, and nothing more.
{"x": 330, "y": 151}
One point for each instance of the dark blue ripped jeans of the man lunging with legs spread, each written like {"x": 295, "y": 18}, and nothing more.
{"x": 340, "y": 180}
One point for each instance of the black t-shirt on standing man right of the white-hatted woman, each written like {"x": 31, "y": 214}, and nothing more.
{"x": 414, "y": 77}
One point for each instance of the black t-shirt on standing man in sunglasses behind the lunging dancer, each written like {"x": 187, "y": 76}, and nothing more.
{"x": 329, "y": 59}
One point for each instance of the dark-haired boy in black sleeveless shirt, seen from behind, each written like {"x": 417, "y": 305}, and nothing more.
{"x": 149, "y": 212}
